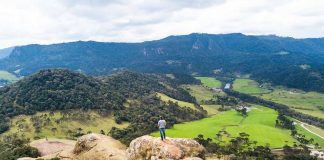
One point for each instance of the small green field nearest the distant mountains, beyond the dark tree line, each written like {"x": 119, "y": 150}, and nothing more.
{"x": 248, "y": 86}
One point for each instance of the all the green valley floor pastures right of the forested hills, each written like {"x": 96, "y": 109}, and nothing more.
{"x": 260, "y": 124}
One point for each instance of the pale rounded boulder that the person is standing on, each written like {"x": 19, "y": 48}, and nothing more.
{"x": 151, "y": 148}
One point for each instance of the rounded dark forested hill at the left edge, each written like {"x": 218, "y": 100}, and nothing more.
{"x": 57, "y": 89}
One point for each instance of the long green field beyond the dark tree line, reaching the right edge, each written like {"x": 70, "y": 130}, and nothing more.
{"x": 304, "y": 102}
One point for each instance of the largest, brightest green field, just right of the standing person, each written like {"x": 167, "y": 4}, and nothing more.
{"x": 260, "y": 125}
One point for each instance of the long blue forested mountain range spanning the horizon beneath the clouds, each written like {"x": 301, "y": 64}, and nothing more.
{"x": 297, "y": 63}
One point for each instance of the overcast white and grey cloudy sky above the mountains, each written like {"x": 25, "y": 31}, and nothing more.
{"x": 53, "y": 21}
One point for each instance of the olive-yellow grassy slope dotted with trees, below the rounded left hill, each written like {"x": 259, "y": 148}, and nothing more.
{"x": 22, "y": 125}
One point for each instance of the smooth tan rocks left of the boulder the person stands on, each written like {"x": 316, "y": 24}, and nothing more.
{"x": 87, "y": 147}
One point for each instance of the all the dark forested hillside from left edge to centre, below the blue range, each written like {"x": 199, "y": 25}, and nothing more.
{"x": 129, "y": 96}
